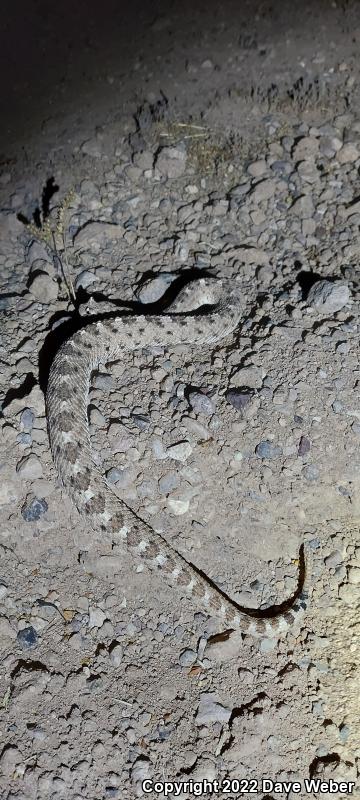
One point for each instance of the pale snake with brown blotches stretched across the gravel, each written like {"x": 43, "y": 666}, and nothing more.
{"x": 67, "y": 400}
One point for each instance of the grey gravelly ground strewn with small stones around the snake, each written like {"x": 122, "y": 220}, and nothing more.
{"x": 237, "y": 153}
